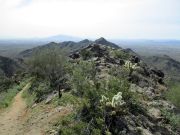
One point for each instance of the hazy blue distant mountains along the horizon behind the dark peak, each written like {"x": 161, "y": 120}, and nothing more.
{"x": 62, "y": 38}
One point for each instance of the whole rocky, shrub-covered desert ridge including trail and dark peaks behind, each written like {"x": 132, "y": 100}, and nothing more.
{"x": 95, "y": 87}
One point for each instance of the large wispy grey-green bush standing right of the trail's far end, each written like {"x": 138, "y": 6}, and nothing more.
{"x": 48, "y": 63}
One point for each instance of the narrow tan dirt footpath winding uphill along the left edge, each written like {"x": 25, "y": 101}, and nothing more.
{"x": 11, "y": 119}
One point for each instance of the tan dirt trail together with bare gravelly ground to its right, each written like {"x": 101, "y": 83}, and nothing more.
{"x": 19, "y": 120}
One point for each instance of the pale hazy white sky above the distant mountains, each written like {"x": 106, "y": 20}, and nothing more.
{"x": 148, "y": 19}
